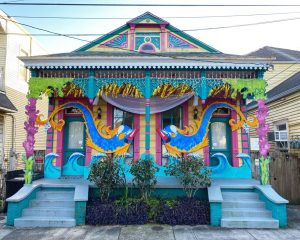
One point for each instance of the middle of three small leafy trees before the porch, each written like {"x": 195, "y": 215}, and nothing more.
{"x": 144, "y": 176}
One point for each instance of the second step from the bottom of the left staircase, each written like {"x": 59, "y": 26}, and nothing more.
{"x": 49, "y": 212}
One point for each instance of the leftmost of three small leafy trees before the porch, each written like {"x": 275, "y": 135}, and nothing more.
{"x": 105, "y": 174}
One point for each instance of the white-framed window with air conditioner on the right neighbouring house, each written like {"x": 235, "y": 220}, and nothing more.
{"x": 281, "y": 134}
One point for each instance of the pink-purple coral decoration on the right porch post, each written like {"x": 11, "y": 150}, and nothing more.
{"x": 262, "y": 130}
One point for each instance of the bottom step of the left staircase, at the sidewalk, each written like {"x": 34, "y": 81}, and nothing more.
{"x": 34, "y": 221}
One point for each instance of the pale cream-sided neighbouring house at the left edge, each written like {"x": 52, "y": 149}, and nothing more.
{"x": 15, "y": 41}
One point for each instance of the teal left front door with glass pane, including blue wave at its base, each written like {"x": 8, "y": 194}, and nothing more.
{"x": 74, "y": 146}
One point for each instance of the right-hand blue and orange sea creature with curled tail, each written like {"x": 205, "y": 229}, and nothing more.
{"x": 192, "y": 138}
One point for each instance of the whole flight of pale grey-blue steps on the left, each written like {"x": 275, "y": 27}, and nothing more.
{"x": 49, "y": 209}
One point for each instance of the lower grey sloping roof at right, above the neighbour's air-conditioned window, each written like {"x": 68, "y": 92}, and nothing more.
{"x": 287, "y": 87}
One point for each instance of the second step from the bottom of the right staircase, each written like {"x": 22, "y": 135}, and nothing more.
{"x": 246, "y": 212}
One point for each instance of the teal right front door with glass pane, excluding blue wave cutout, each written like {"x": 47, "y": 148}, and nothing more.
{"x": 219, "y": 139}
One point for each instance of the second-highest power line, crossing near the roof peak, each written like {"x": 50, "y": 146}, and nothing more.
{"x": 178, "y": 17}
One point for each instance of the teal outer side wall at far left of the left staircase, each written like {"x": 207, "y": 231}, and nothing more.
{"x": 15, "y": 209}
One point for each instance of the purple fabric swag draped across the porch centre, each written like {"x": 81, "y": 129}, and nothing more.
{"x": 137, "y": 105}
